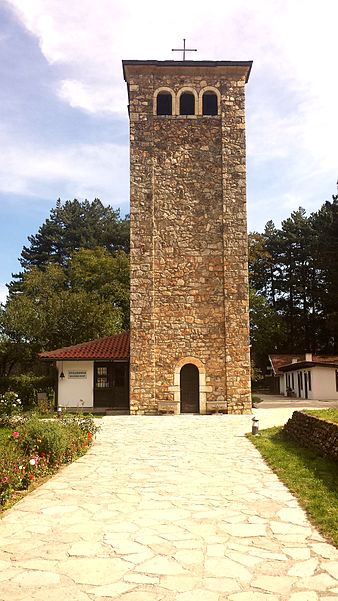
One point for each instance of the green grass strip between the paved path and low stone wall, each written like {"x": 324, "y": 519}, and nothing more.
{"x": 312, "y": 478}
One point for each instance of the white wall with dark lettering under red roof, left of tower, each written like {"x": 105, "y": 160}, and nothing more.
{"x": 75, "y": 391}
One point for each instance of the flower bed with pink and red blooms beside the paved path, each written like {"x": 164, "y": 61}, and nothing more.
{"x": 35, "y": 448}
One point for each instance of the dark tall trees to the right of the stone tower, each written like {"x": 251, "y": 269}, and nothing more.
{"x": 295, "y": 269}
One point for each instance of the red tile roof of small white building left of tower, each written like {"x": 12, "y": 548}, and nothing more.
{"x": 110, "y": 347}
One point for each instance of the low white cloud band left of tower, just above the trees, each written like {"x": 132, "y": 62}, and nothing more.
{"x": 77, "y": 170}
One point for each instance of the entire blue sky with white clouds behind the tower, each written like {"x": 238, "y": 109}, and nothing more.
{"x": 64, "y": 126}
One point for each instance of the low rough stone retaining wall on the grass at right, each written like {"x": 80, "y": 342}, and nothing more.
{"x": 313, "y": 432}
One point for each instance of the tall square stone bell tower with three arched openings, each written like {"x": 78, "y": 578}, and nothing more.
{"x": 189, "y": 277}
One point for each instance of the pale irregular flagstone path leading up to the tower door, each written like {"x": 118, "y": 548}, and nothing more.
{"x": 166, "y": 508}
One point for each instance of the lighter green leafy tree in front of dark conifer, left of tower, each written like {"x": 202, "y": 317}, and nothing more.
{"x": 62, "y": 306}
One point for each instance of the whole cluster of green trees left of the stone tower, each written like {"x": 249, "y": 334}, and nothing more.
{"x": 74, "y": 285}
